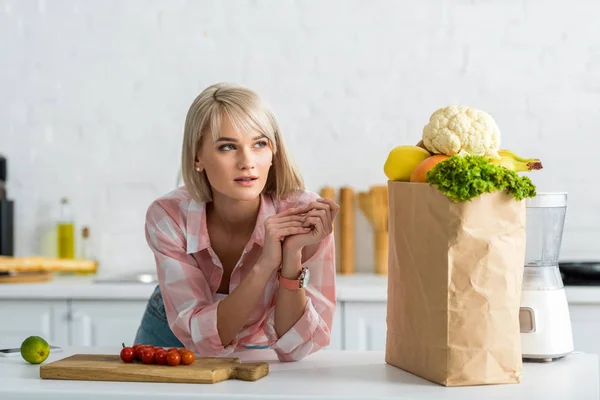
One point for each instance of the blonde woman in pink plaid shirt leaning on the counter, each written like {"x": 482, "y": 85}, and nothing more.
{"x": 236, "y": 245}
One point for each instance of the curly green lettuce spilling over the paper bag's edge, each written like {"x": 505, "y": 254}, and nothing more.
{"x": 463, "y": 178}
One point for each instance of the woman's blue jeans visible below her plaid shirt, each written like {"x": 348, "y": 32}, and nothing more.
{"x": 154, "y": 329}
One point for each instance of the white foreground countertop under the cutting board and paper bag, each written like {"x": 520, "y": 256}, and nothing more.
{"x": 324, "y": 375}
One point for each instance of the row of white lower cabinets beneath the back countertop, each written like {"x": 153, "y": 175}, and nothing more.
{"x": 104, "y": 322}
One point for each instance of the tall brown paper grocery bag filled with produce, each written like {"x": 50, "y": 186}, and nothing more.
{"x": 454, "y": 285}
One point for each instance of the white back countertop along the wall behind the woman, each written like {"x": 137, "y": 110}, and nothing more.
{"x": 357, "y": 287}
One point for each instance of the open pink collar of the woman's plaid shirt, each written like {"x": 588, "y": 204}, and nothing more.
{"x": 197, "y": 229}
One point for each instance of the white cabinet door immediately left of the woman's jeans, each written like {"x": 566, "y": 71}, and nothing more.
{"x": 104, "y": 322}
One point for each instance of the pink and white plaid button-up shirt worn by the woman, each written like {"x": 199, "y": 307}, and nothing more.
{"x": 189, "y": 274}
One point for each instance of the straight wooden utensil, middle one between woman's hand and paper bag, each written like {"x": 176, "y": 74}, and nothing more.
{"x": 347, "y": 220}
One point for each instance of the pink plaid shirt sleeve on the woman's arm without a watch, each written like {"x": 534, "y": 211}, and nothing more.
{"x": 190, "y": 309}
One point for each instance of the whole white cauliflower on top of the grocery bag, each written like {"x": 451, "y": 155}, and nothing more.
{"x": 462, "y": 130}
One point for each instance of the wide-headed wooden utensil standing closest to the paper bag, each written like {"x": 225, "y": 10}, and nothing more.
{"x": 374, "y": 204}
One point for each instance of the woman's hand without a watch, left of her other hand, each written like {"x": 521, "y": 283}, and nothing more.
{"x": 277, "y": 228}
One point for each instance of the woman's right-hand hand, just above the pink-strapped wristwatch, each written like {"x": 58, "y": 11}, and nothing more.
{"x": 320, "y": 219}
